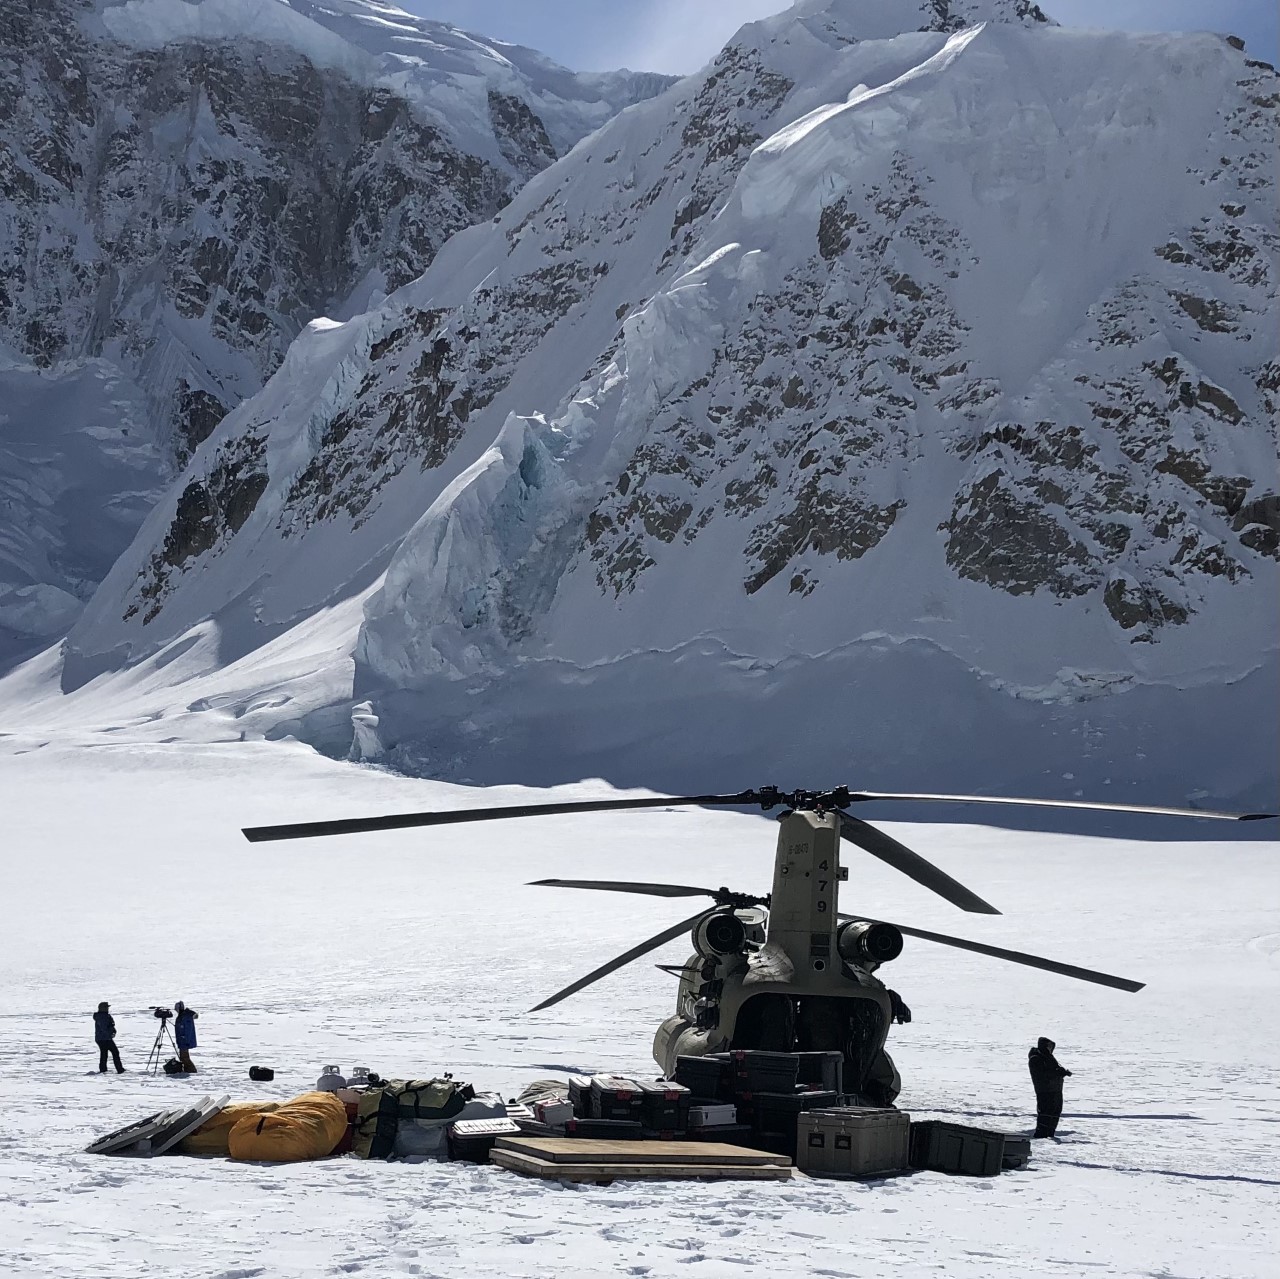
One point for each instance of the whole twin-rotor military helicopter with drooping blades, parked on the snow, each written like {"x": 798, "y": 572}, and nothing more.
{"x": 788, "y": 972}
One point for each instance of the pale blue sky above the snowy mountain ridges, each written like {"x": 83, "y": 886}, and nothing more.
{"x": 678, "y": 38}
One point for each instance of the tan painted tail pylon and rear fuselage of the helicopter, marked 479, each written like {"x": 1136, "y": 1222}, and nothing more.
{"x": 797, "y": 956}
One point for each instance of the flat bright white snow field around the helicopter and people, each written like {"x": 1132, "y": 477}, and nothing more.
{"x": 419, "y": 952}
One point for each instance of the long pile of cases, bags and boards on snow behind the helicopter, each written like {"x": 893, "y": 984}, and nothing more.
{"x": 742, "y": 1114}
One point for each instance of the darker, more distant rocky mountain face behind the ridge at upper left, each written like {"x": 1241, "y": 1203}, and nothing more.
{"x": 184, "y": 186}
